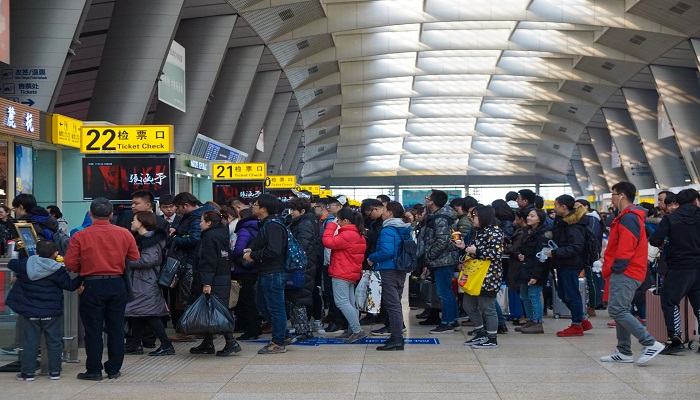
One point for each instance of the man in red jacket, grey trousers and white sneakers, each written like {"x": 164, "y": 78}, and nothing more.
{"x": 625, "y": 267}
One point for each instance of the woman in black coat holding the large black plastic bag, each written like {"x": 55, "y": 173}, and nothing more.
{"x": 212, "y": 274}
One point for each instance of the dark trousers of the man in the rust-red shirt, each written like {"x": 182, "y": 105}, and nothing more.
{"x": 101, "y": 308}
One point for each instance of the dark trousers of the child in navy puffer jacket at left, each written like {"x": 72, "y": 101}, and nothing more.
{"x": 53, "y": 334}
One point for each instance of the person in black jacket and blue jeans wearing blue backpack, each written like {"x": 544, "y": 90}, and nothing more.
{"x": 268, "y": 252}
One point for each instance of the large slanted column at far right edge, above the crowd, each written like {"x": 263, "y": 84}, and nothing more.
{"x": 680, "y": 92}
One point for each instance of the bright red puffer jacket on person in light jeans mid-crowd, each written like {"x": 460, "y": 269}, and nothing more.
{"x": 347, "y": 251}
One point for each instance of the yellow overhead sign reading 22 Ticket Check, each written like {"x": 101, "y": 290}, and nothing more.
{"x": 127, "y": 139}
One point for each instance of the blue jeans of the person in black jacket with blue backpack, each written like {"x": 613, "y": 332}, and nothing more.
{"x": 270, "y": 299}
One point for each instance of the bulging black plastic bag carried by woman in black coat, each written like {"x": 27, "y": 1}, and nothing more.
{"x": 207, "y": 315}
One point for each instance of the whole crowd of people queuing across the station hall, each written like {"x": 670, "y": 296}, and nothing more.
{"x": 118, "y": 258}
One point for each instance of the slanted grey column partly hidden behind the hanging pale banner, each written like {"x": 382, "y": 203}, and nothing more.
{"x": 205, "y": 41}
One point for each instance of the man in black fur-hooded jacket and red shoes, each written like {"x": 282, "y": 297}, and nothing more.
{"x": 569, "y": 236}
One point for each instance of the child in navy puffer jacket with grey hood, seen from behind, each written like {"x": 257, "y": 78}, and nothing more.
{"x": 38, "y": 297}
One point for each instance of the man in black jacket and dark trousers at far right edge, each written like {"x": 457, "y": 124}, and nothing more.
{"x": 681, "y": 229}
